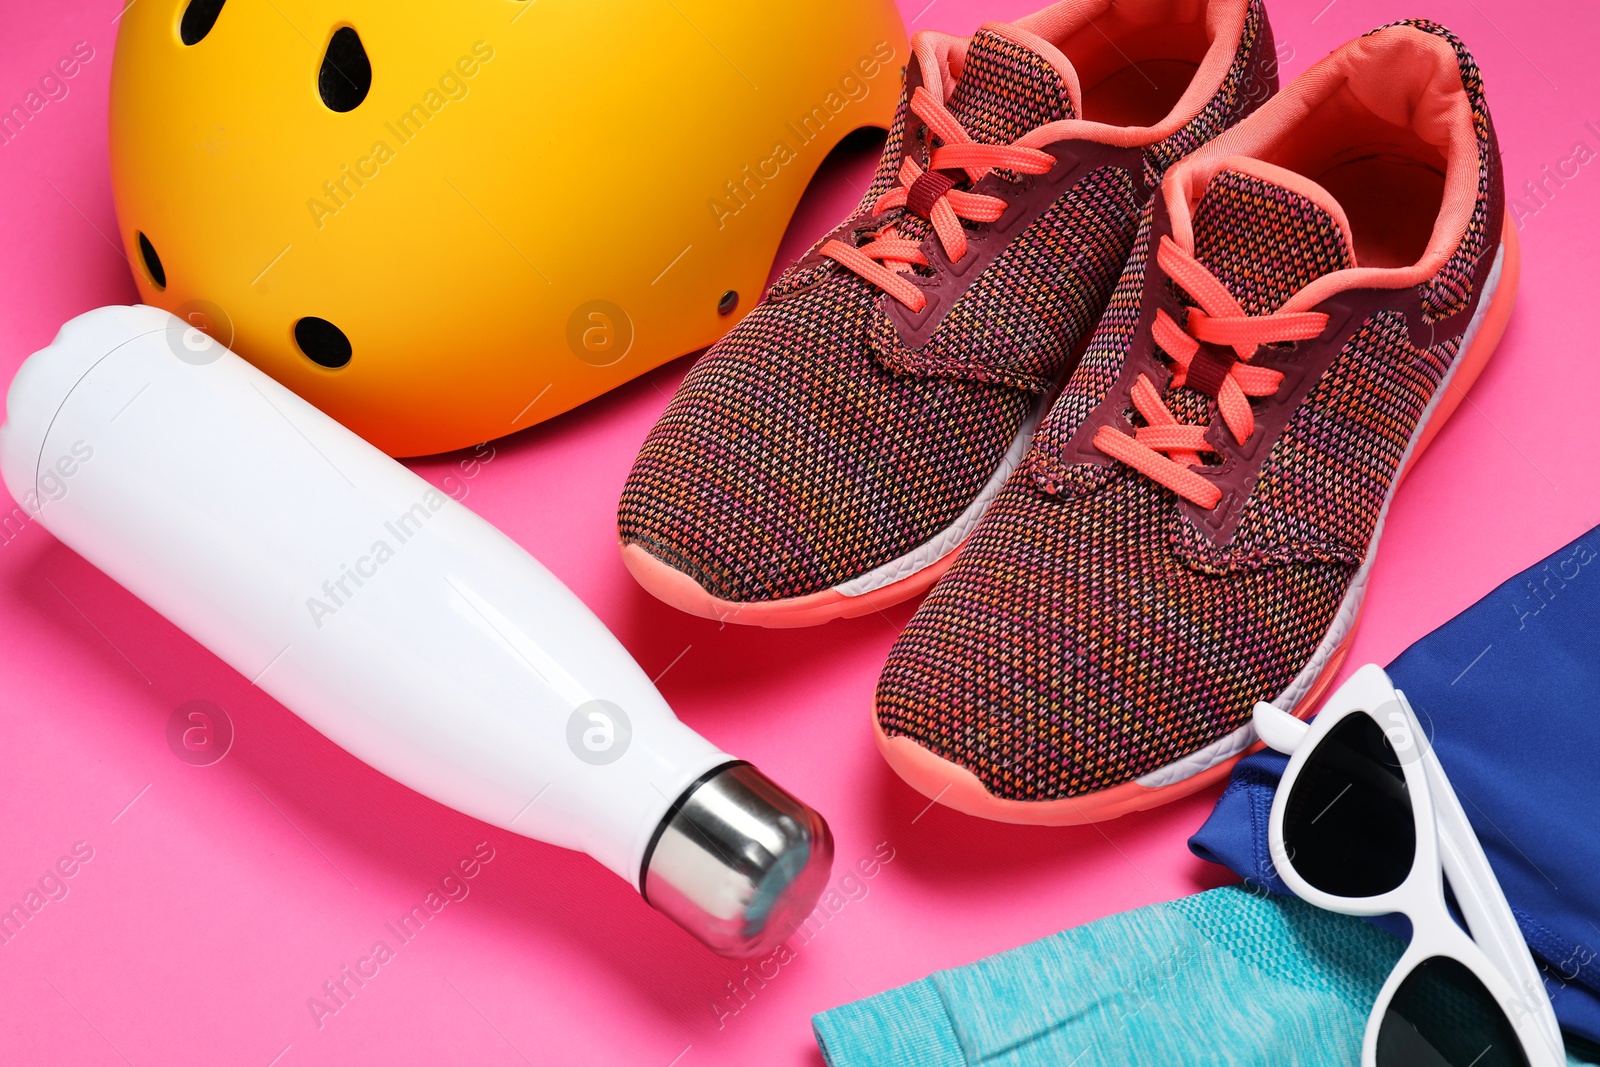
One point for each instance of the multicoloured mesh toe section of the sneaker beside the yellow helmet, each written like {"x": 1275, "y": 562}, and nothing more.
{"x": 775, "y": 474}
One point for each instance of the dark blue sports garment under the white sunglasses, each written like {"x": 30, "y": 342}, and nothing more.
{"x": 1510, "y": 693}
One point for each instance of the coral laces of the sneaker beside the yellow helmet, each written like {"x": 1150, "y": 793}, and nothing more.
{"x": 932, "y": 194}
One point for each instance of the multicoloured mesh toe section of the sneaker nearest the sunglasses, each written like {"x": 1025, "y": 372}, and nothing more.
{"x": 1070, "y": 649}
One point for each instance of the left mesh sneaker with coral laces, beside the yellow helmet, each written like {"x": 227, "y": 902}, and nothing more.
{"x": 834, "y": 450}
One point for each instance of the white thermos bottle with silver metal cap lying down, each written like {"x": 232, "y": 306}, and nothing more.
{"x": 393, "y": 620}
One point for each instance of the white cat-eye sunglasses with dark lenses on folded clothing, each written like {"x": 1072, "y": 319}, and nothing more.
{"x": 1366, "y": 823}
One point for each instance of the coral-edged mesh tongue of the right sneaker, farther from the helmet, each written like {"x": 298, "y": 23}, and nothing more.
{"x": 1268, "y": 234}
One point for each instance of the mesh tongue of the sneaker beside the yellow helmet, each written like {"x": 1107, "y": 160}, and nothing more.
{"x": 1009, "y": 89}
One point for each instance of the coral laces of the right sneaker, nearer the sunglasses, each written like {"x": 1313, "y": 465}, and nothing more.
{"x": 1231, "y": 382}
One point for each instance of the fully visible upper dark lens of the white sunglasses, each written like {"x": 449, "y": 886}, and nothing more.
{"x": 1348, "y": 823}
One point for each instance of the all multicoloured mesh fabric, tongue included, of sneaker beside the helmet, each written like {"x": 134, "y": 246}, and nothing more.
{"x": 799, "y": 454}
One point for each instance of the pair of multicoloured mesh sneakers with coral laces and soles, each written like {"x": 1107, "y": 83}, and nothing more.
{"x": 1124, "y": 356}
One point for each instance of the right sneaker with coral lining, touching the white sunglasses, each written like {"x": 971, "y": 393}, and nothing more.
{"x": 1198, "y": 518}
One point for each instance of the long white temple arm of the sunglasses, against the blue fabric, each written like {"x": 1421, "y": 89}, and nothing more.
{"x": 1484, "y": 903}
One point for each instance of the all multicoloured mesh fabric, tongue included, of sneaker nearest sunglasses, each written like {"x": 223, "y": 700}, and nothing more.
{"x": 1090, "y": 634}
